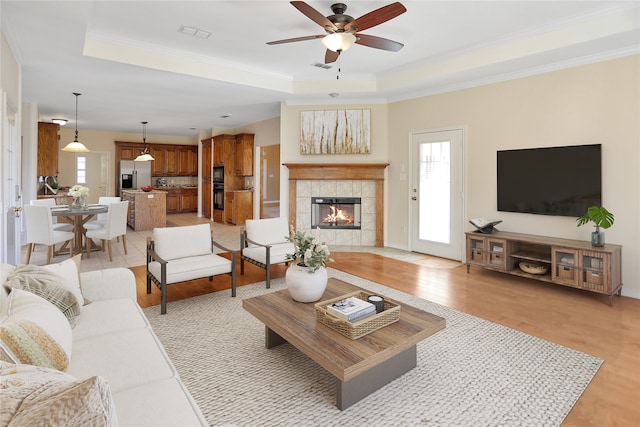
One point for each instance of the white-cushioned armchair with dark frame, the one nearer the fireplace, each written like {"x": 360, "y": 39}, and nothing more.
{"x": 264, "y": 242}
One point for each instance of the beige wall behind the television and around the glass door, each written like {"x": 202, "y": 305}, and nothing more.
{"x": 592, "y": 104}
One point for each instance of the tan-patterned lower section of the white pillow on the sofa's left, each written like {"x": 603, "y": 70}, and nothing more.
{"x": 30, "y": 344}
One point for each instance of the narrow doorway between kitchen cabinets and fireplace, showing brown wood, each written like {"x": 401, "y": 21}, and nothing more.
{"x": 270, "y": 181}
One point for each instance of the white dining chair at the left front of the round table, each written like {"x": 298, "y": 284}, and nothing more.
{"x": 39, "y": 224}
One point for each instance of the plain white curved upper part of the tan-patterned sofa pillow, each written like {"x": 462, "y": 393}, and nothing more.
{"x": 23, "y": 305}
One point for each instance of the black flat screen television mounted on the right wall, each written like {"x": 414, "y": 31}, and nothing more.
{"x": 562, "y": 181}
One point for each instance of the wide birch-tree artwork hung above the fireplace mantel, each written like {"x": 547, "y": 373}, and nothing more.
{"x": 335, "y": 132}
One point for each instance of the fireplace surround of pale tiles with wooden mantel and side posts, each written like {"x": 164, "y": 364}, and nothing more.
{"x": 364, "y": 180}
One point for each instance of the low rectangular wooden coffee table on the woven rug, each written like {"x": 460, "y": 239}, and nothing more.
{"x": 360, "y": 366}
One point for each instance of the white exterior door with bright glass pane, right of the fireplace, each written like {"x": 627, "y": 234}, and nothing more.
{"x": 437, "y": 188}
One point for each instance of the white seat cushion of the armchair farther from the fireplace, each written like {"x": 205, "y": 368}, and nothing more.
{"x": 181, "y": 269}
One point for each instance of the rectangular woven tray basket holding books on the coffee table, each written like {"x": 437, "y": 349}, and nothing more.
{"x": 362, "y": 327}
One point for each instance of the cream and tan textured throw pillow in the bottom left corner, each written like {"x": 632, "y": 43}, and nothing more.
{"x": 33, "y": 395}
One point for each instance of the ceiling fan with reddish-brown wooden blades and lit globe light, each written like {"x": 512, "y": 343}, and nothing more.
{"x": 343, "y": 31}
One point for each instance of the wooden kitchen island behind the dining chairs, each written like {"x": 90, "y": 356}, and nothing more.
{"x": 147, "y": 210}
